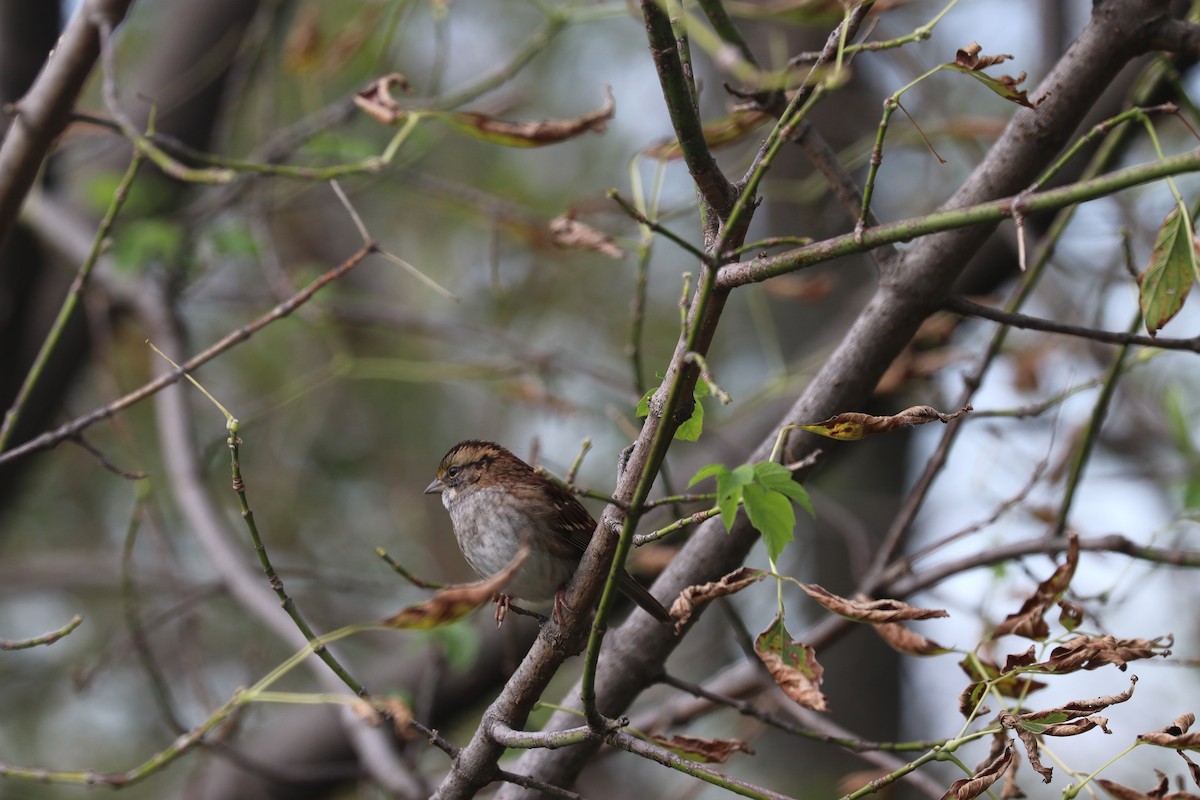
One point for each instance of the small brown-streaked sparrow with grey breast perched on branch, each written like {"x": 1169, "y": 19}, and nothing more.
{"x": 499, "y": 503}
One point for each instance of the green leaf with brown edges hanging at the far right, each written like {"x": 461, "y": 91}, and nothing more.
{"x": 1167, "y": 280}
